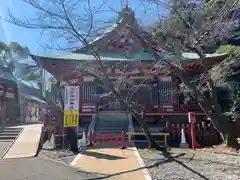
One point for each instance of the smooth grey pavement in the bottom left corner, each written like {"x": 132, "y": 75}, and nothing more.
{"x": 40, "y": 169}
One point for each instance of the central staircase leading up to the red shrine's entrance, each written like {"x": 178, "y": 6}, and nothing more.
{"x": 111, "y": 123}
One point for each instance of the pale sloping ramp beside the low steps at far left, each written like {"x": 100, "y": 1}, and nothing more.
{"x": 27, "y": 143}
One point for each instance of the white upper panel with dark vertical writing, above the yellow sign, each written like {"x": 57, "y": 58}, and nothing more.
{"x": 71, "y": 98}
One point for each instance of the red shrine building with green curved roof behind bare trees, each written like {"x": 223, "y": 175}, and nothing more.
{"x": 158, "y": 95}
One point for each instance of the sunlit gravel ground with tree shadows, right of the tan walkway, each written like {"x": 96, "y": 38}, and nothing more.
{"x": 191, "y": 165}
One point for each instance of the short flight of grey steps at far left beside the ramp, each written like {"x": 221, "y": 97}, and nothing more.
{"x": 9, "y": 134}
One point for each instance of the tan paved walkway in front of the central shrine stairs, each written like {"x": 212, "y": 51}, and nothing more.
{"x": 115, "y": 163}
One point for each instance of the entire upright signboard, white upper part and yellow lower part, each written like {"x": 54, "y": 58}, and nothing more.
{"x": 71, "y": 106}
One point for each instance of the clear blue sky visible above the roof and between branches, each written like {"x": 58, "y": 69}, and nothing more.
{"x": 35, "y": 40}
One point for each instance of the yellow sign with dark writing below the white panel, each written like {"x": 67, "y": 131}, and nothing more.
{"x": 71, "y": 118}
